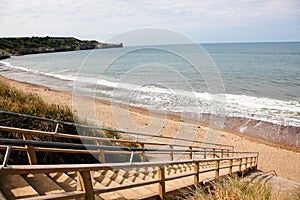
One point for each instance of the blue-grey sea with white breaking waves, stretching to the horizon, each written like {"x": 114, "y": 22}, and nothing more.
{"x": 250, "y": 80}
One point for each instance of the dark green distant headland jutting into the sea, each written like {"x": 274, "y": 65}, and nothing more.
{"x": 32, "y": 45}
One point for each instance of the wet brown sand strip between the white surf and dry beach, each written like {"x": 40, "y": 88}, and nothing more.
{"x": 279, "y": 136}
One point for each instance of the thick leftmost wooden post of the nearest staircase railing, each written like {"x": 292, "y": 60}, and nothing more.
{"x": 86, "y": 184}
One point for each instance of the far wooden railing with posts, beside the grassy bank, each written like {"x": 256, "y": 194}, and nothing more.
{"x": 27, "y": 134}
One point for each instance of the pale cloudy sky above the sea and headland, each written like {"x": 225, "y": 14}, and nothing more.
{"x": 203, "y": 21}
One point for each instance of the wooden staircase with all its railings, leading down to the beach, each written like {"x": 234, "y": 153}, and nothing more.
{"x": 196, "y": 162}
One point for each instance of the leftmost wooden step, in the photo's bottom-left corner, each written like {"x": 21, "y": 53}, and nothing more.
{"x": 14, "y": 187}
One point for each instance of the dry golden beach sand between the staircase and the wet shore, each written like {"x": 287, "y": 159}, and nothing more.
{"x": 285, "y": 163}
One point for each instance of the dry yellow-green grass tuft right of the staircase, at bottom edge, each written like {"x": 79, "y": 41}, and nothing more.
{"x": 236, "y": 189}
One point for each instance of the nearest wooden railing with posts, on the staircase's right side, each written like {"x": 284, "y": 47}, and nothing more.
{"x": 86, "y": 180}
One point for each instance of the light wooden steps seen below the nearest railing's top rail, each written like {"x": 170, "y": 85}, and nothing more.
{"x": 66, "y": 185}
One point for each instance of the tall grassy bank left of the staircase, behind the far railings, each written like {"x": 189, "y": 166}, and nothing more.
{"x": 16, "y": 101}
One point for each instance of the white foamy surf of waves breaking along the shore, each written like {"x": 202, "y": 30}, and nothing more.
{"x": 277, "y": 111}
